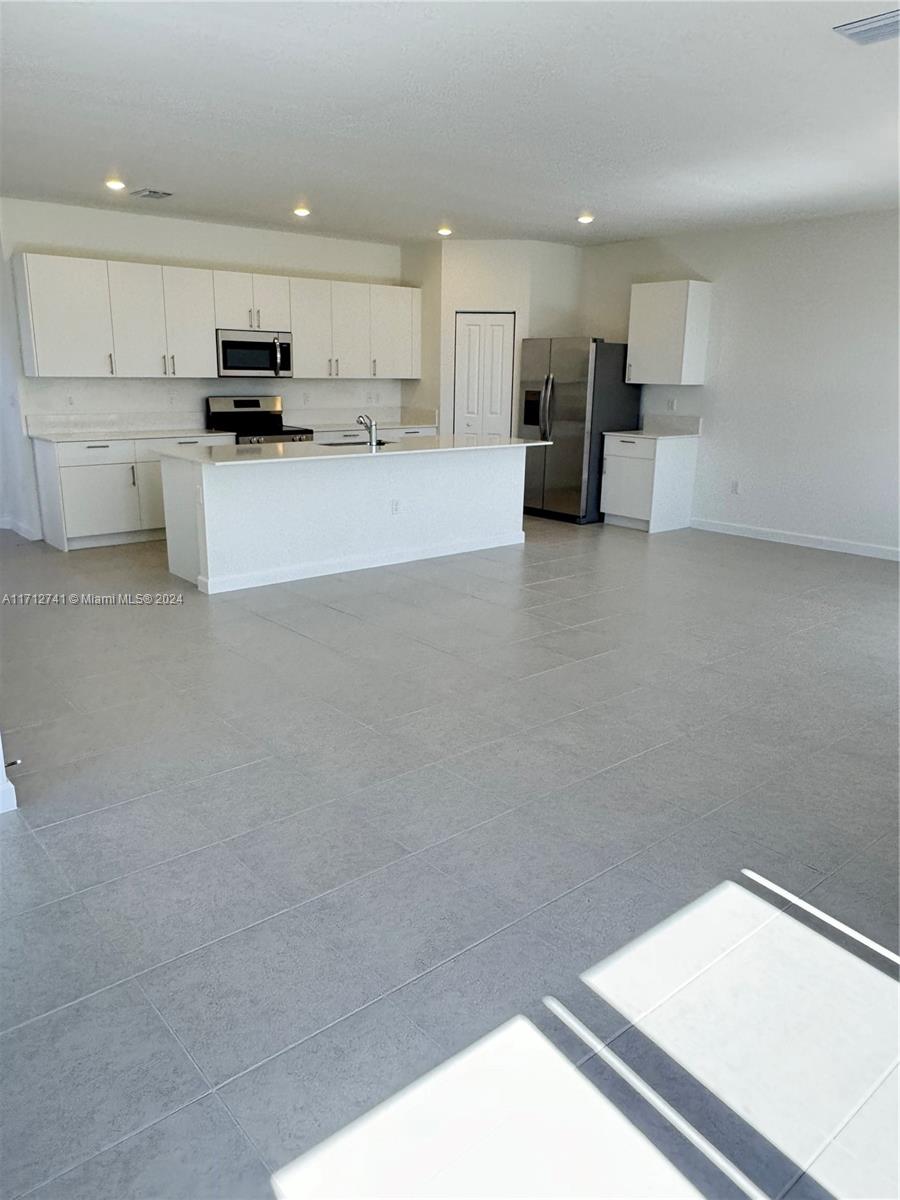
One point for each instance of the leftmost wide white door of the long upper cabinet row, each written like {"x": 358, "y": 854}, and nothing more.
{"x": 69, "y": 302}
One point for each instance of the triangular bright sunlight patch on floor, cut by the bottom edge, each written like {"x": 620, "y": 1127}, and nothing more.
{"x": 508, "y": 1118}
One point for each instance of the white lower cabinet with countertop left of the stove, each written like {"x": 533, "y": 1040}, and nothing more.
{"x": 105, "y": 491}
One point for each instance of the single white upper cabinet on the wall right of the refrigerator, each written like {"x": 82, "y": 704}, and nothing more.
{"x": 668, "y": 333}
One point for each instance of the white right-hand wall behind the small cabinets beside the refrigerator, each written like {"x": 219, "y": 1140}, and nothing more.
{"x": 801, "y": 401}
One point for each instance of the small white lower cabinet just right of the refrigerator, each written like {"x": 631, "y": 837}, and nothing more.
{"x": 649, "y": 482}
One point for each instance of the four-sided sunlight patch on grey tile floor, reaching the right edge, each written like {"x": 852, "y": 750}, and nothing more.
{"x": 788, "y": 1029}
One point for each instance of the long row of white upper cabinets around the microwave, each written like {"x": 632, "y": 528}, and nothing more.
{"x": 85, "y": 317}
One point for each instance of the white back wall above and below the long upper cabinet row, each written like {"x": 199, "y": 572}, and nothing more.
{"x": 38, "y": 226}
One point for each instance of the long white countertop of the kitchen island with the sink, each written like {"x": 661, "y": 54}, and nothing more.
{"x": 304, "y": 452}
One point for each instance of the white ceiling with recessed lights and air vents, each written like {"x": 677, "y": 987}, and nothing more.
{"x": 502, "y": 119}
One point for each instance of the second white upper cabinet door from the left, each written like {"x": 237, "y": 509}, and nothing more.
{"x": 139, "y": 321}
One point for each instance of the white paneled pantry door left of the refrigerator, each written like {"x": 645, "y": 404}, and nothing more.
{"x": 483, "y": 389}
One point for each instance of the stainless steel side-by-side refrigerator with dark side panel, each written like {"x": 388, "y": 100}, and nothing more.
{"x": 572, "y": 391}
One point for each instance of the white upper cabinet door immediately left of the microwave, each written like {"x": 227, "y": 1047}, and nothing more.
{"x": 190, "y": 322}
